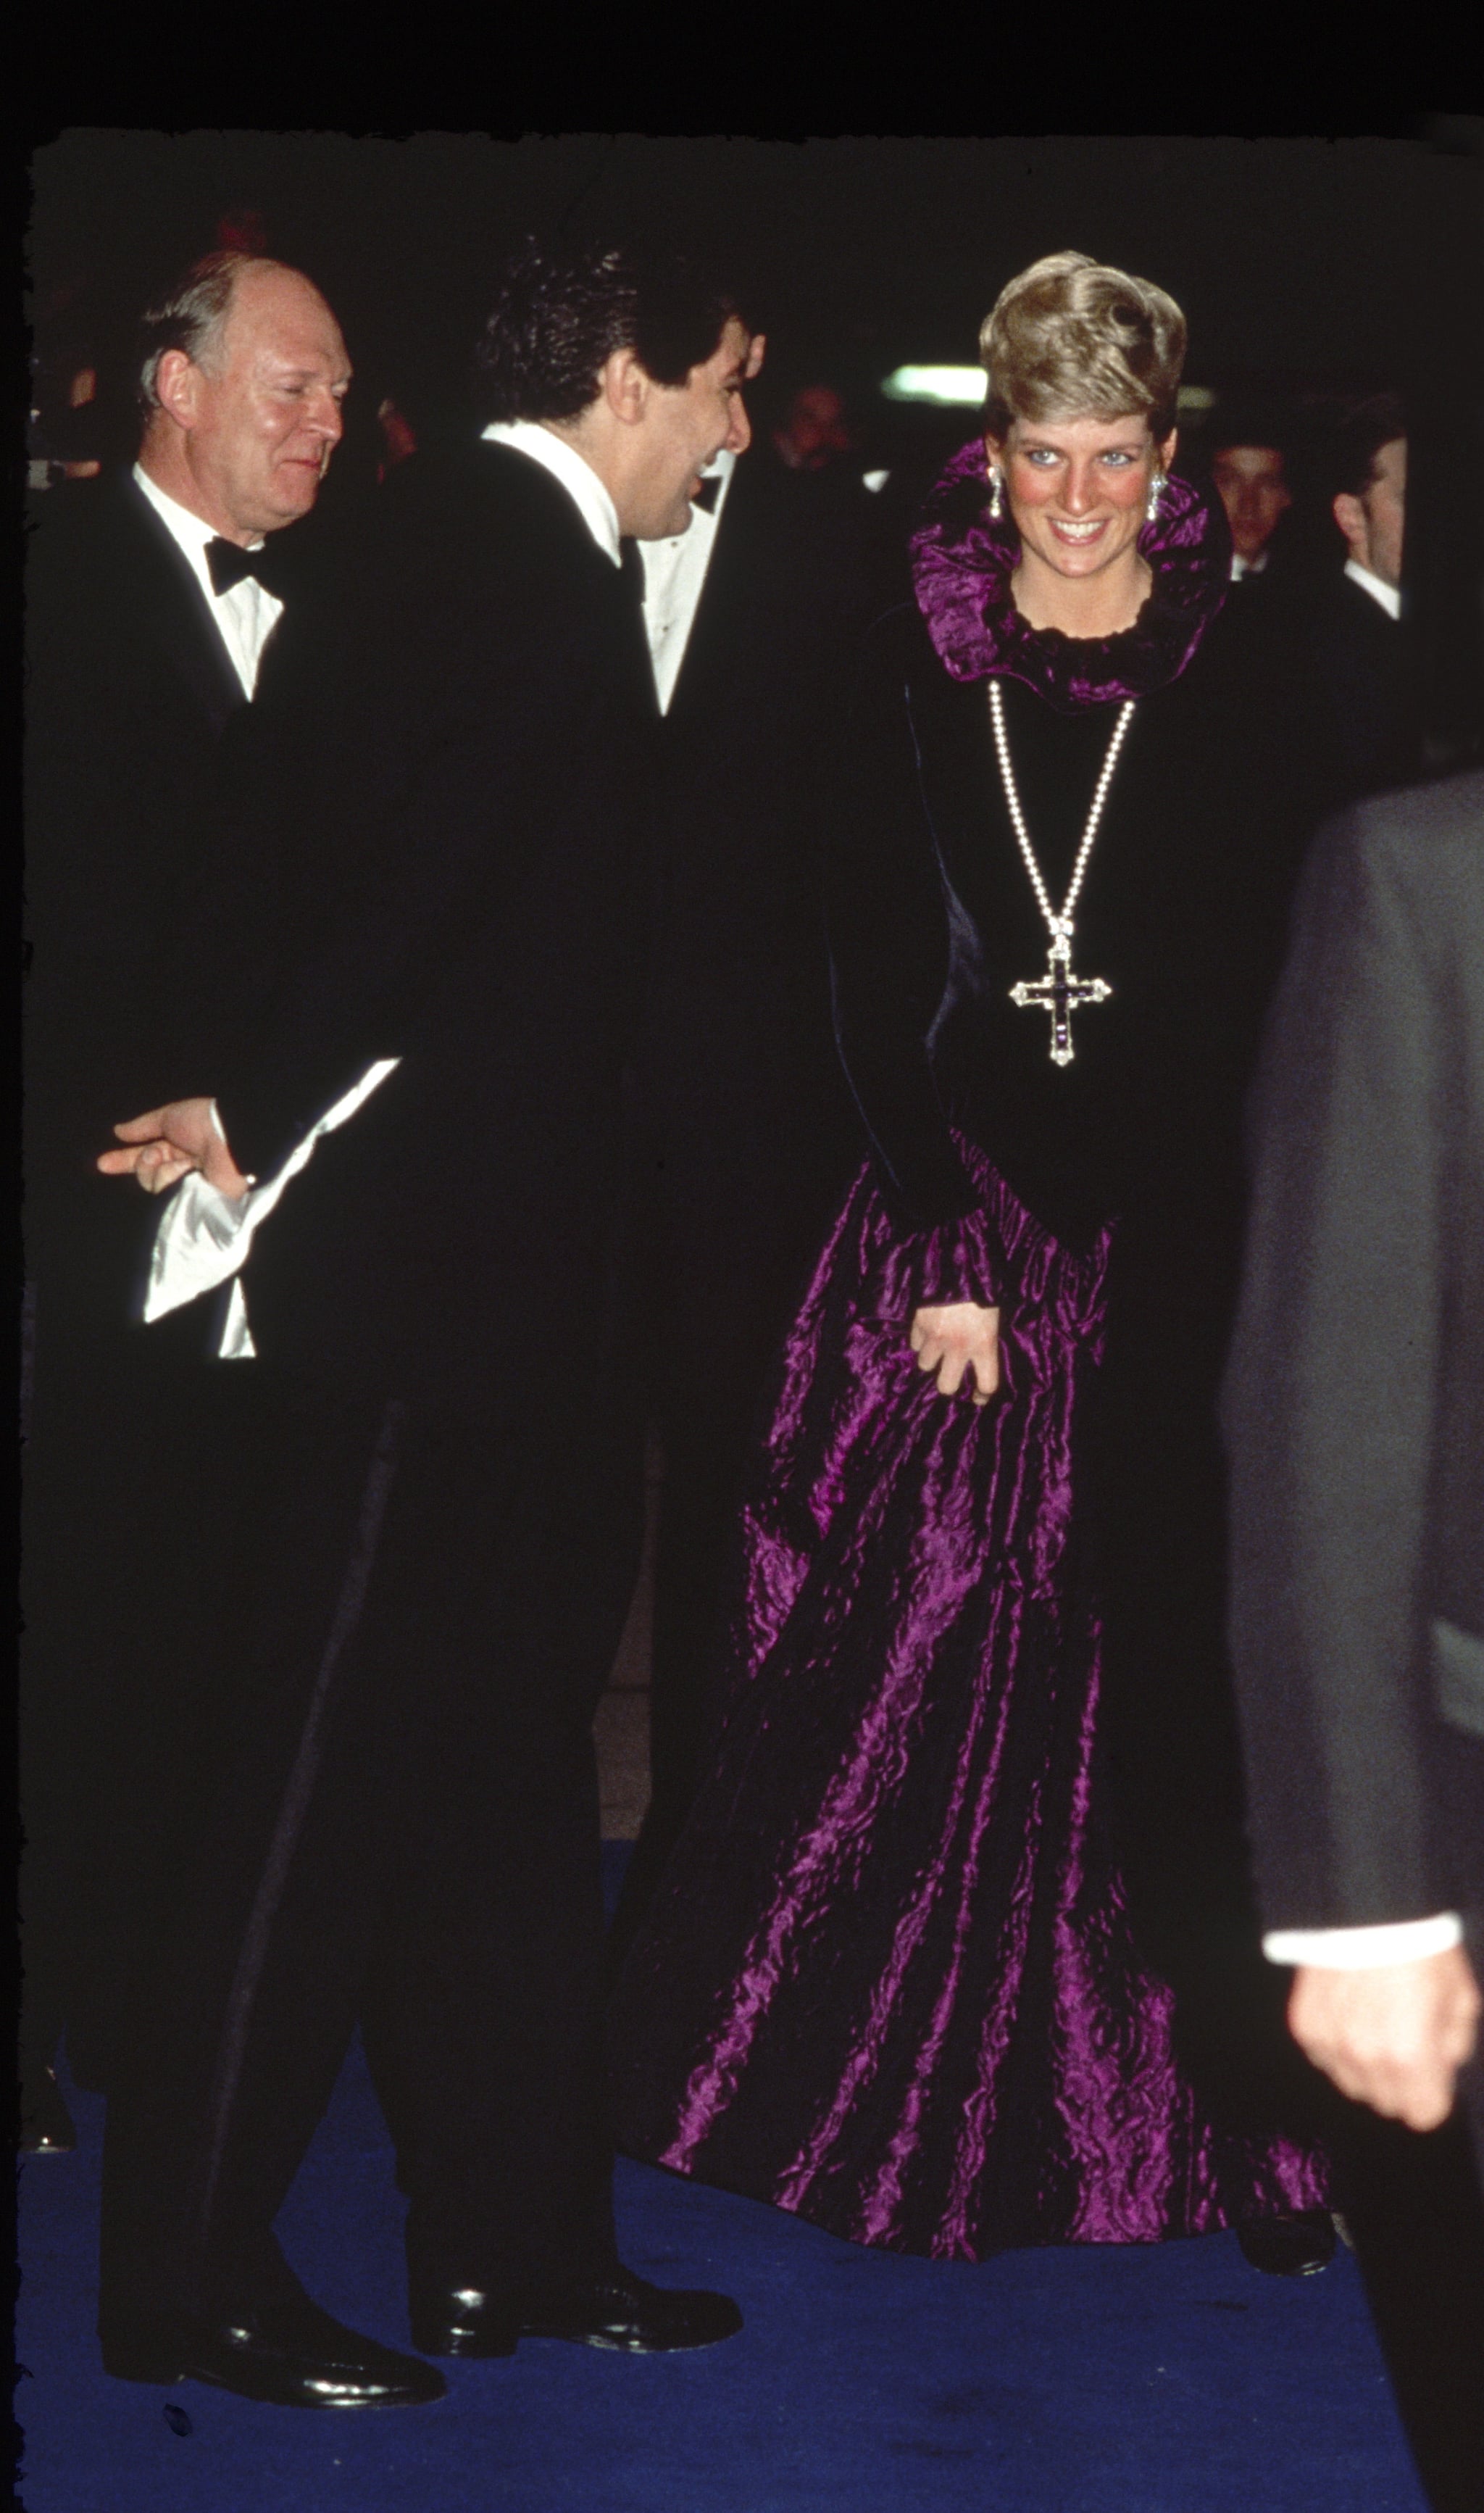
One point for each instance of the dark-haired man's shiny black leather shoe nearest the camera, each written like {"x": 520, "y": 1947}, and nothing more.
{"x": 282, "y": 2353}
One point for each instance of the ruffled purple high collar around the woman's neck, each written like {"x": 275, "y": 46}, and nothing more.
{"x": 963, "y": 562}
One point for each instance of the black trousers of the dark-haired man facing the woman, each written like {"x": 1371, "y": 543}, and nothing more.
{"x": 360, "y": 1773}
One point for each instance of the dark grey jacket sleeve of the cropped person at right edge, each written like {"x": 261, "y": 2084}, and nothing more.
{"x": 1357, "y": 1386}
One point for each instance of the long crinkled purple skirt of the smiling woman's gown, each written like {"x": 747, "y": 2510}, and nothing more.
{"x": 890, "y": 1976}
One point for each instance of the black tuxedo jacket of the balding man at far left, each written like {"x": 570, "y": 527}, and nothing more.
{"x": 132, "y": 702}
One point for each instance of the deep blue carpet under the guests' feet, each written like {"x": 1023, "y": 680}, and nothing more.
{"x": 1078, "y": 2381}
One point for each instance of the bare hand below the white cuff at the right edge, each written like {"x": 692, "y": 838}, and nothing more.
{"x": 1392, "y": 2037}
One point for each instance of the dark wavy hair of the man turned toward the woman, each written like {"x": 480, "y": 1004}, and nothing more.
{"x": 561, "y": 310}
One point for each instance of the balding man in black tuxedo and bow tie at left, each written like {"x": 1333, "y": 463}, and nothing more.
{"x": 149, "y": 612}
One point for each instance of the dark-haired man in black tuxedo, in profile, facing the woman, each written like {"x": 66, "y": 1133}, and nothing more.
{"x": 416, "y": 1522}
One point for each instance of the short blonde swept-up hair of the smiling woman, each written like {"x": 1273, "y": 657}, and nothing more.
{"x": 1078, "y": 341}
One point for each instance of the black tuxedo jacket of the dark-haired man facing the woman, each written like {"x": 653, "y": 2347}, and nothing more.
{"x": 441, "y": 853}
